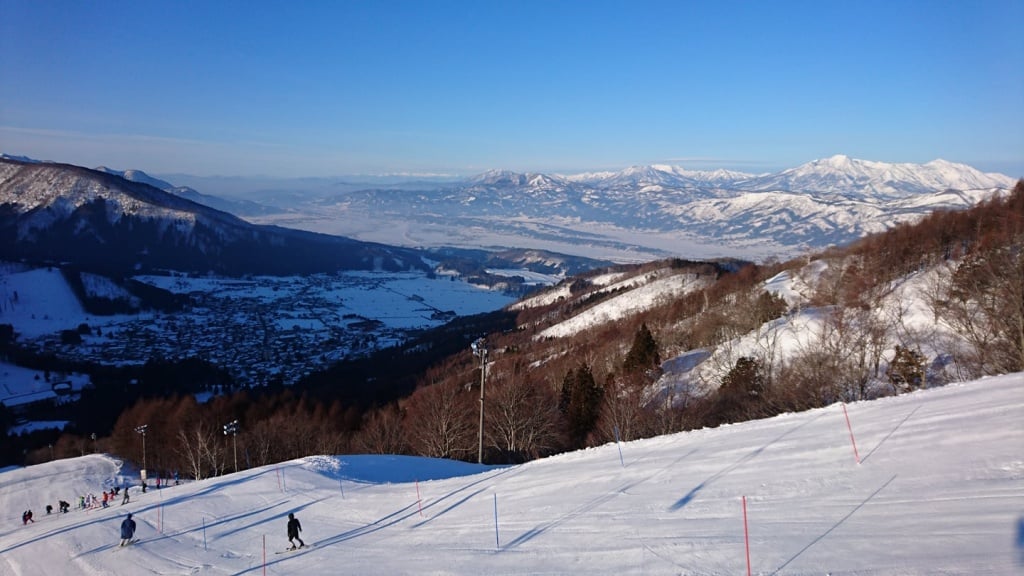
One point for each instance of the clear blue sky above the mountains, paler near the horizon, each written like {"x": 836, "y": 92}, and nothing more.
{"x": 388, "y": 87}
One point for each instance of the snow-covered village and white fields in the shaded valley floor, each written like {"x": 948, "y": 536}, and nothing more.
{"x": 259, "y": 330}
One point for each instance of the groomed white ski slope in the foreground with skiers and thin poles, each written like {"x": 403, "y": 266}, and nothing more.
{"x": 938, "y": 489}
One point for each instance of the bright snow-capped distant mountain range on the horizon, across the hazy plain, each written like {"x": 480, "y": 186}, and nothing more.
{"x": 697, "y": 214}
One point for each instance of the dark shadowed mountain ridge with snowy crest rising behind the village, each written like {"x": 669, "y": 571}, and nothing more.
{"x": 59, "y": 213}
